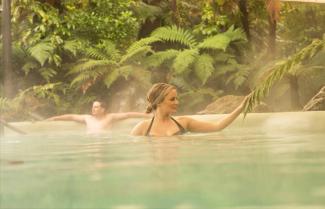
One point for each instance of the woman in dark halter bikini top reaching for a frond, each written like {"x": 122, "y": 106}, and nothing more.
{"x": 162, "y": 99}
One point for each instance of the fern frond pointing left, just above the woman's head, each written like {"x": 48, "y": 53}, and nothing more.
{"x": 159, "y": 58}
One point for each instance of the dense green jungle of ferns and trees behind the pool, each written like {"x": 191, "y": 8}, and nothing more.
{"x": 66, "y": 53}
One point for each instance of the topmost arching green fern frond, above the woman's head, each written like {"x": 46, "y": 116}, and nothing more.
{"x": 176, "y": 35}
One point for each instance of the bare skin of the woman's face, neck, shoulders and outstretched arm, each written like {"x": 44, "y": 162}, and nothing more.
{"x": 164, "y": 126}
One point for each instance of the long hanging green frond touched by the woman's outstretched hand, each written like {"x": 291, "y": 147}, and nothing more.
{"x": 278, "y": 71}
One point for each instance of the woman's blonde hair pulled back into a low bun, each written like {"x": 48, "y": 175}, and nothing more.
{"x": 157, "y": 94}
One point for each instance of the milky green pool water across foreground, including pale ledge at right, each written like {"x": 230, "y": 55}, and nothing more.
{"x": 265, "y": 162}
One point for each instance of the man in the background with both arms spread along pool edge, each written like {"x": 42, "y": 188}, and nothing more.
{"x": 99, "y": 120}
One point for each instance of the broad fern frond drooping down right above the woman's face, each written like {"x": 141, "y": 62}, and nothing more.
{"x": 184, "y": 59}
